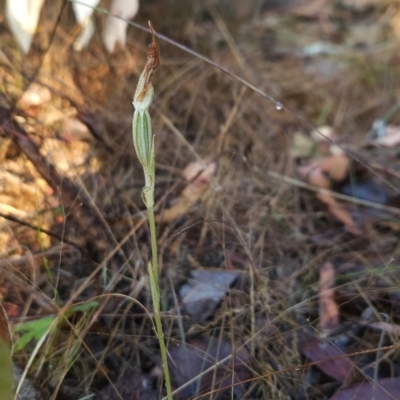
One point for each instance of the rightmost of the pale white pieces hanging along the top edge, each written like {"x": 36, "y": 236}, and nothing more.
{"x": 115, "y": 28}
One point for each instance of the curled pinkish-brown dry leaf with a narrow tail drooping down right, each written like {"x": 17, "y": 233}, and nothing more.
{"x": 320, "y": 173}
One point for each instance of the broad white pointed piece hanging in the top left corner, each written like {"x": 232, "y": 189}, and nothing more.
{"x": 23, "y": 16}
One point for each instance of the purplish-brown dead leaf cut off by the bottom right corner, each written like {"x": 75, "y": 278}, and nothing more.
{"x": 383, "y": 389}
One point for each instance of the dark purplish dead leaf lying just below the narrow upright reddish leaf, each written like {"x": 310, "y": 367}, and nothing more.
{"x": 328, "y": 357}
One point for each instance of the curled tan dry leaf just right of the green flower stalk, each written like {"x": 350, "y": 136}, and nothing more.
{"x": 199, "y": 178}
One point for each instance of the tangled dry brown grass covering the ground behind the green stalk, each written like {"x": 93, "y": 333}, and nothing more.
{"x": 278, "y": 234}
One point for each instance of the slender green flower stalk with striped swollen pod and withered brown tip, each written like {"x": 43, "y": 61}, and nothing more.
{"x": 143, "y": 141}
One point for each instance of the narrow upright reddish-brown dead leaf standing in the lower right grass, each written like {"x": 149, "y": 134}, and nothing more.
{"x": 328, "y": 309}
